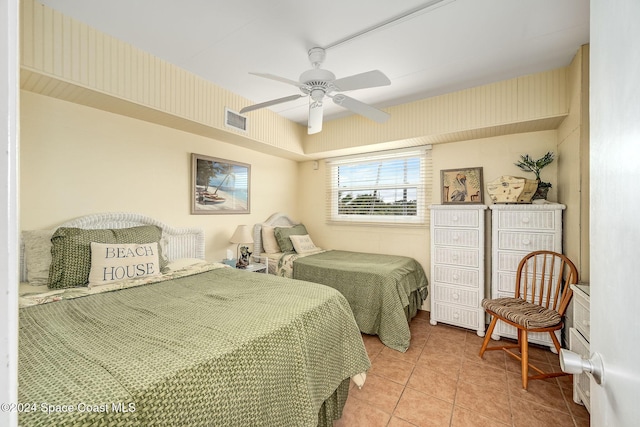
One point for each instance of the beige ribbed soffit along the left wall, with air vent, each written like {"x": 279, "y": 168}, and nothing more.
{"x": 67, "y": 59}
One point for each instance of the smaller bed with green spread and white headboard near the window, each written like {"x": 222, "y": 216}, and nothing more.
{"x": 384, "y": 291}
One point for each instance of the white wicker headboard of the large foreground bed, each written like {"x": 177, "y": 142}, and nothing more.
{"x": 181, "y": 242}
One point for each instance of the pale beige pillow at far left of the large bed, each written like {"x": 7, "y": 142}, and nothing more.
{"x": 37, "y": 255}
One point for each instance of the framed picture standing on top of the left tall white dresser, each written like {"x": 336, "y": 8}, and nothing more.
{"x": 462, "y": 186}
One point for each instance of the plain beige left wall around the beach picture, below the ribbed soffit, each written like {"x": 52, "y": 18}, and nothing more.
{"x": 76, "y": 160}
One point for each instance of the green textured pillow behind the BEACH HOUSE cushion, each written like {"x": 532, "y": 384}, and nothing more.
{"x": 71, "y": 251}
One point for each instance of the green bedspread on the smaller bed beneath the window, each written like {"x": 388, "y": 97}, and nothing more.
{"x": 384, "y": 291}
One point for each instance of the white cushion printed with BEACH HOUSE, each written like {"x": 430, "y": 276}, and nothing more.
{"x": 111, "y": 262}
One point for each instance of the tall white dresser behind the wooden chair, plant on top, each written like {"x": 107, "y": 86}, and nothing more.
{"x": 516, "y": 231}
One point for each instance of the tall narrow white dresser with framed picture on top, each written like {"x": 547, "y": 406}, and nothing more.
{"x": 457, "y": 265}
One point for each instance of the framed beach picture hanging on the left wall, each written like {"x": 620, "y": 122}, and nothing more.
{"x": 219, "y": 186}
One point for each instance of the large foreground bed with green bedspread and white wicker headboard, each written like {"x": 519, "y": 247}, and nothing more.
{"x": 200, "y": 344}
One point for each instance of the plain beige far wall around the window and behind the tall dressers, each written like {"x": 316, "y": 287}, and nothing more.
{"x": 495, "y": 155}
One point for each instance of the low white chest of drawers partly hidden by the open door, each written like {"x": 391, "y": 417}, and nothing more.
{"x": 579, "y": 337}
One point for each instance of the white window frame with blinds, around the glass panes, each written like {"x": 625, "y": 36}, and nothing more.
{"x": 422, "y": 153}
